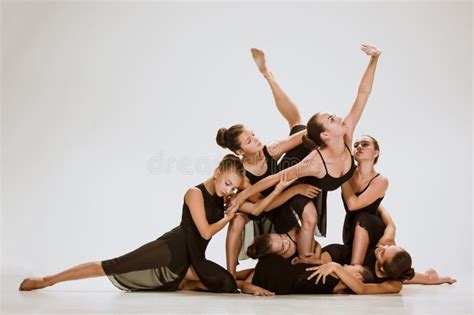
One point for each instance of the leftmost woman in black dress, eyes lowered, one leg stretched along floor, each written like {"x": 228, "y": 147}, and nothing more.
{"x": 179, "y": 254}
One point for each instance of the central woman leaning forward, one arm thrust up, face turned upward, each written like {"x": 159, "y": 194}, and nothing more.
{"x": 330, "y": 163}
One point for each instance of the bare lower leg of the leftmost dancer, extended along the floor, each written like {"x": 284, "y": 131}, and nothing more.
{"x": 83, "y": 271}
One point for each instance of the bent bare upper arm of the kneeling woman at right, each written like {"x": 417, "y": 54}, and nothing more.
{"x": 376, "y": 190}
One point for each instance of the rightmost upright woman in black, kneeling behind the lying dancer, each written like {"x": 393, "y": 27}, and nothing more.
{"x": 367, "y": 224}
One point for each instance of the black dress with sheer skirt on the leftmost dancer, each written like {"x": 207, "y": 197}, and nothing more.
{"x": 162, "y": 264}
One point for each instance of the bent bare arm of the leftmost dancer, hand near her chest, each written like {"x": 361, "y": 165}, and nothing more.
{"x": 195, "y": 202}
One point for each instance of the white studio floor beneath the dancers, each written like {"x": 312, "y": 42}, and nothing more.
{"x": 97, "y": 296}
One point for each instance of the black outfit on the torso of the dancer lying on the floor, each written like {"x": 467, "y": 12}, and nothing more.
{"x": 278, "y": 275}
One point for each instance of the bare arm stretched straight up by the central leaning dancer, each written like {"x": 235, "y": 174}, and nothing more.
{"x": 365, "y": 88}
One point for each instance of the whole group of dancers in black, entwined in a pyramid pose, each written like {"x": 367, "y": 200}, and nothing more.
{"x": 279, "y": 191}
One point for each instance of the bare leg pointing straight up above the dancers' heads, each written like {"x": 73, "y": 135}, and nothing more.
{"x": 285, "y": 105}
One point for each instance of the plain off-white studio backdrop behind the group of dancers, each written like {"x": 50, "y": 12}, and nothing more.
{"x": 109, "y": 113}
